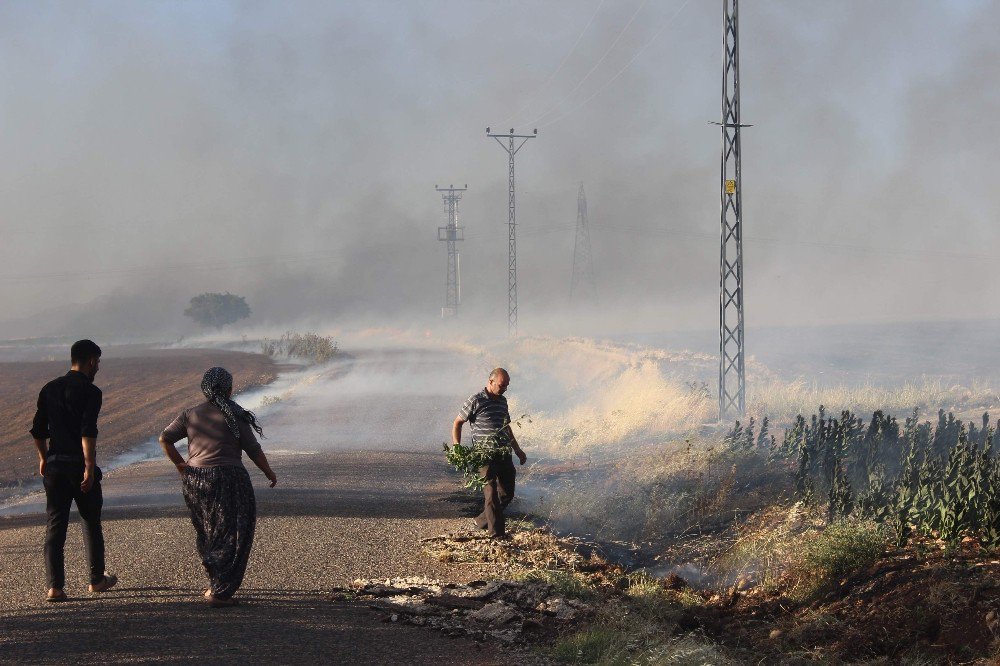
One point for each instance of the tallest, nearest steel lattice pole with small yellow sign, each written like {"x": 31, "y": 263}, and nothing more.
{"x": 732, "y": 366}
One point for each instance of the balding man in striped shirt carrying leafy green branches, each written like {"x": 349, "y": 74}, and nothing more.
{"x": 490, "y": 419}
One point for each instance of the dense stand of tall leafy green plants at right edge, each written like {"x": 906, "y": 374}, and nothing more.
{"x": 942, "y": 480}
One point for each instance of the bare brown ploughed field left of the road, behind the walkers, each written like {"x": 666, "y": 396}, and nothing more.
{"x": 143, "y": 391}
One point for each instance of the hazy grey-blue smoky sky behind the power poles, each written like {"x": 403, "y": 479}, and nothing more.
{"x": 289, "y": 151}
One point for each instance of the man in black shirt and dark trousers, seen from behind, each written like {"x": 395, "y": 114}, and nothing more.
{"x": 65, "y": 433}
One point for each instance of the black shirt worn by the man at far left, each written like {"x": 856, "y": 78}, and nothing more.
{"x": 67, "y": 411}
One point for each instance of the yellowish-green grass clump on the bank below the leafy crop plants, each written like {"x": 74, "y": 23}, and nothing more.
{"x": 840, "y": 550}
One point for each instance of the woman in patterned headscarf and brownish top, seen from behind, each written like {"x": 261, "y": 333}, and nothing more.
{"x": 216, "y": 486}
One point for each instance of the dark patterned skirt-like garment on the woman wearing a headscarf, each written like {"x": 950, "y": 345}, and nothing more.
{"x": 224, "y": 514}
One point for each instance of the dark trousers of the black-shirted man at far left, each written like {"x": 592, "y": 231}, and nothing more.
{"x": 61, "y": 490}
